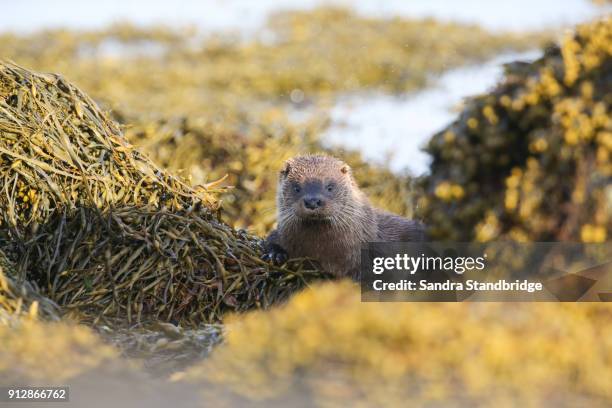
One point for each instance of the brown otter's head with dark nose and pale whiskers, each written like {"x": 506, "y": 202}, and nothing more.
{"x": 314, "y": 188}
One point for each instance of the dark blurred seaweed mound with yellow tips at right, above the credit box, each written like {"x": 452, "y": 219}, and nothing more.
{"x": 532, "y": 160}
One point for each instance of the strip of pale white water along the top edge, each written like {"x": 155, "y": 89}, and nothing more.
{"x": 248, "y": 15}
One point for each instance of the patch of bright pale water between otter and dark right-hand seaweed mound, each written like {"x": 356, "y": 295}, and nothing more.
{"x": 391, "y": 130}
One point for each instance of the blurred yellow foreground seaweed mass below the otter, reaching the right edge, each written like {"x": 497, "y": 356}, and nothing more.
{"x": 325, "y": 347}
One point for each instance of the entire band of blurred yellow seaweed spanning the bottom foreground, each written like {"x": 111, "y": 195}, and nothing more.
{"x": 326, "y": 348}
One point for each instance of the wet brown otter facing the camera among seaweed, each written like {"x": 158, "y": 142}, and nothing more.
{"x": 322, "y": 214}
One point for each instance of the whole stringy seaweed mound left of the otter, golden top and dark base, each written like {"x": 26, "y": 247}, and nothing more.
{"x": 104, "y": 232}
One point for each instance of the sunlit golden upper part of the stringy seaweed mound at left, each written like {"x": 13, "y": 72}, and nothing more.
{"x": 59, "y": 151}
